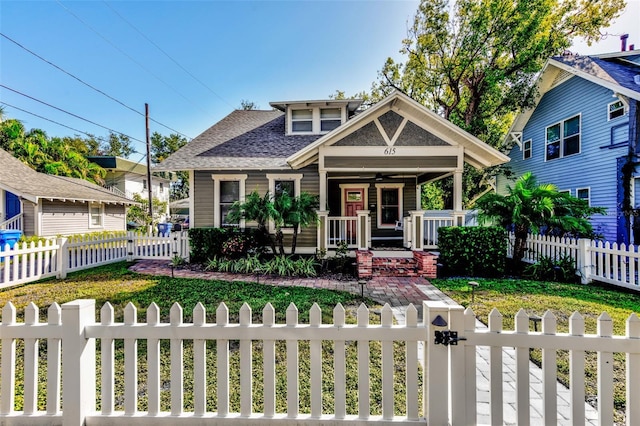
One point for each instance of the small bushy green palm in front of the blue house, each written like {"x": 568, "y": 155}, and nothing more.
{"x": 532, "y": 207}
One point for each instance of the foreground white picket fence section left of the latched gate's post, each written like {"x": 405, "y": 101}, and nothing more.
{"x": 71, "y": 361}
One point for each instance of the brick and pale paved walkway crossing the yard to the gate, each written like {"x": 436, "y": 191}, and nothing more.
{"x": 399, "y": 293}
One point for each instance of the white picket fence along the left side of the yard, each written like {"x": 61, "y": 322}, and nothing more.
{"x": 27, "y": 262}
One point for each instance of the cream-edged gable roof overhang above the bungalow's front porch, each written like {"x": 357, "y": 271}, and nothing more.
{"x": 477, "y": 153}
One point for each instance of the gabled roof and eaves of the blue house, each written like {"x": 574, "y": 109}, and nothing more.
{"x": 615, "y": 71}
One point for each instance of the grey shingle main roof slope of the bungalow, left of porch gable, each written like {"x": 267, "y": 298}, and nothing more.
{"x": 241, "y": 140}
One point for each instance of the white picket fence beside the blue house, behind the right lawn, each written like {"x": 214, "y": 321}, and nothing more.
{"x": 611, "y": 263}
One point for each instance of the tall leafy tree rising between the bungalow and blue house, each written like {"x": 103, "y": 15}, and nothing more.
{"x": 475, "y": 62}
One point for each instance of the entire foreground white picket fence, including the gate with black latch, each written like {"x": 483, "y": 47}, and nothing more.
{"x": 448, "y": 376}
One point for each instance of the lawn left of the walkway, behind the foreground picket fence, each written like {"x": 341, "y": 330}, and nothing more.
{"x": 119, "y": 286}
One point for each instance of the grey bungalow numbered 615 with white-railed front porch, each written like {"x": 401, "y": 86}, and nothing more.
{"x": 366, "y": 166}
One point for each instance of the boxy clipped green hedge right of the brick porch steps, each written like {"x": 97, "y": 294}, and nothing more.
{"x": 473, "y": 250}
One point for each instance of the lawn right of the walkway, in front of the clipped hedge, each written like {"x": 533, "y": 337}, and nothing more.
{"x": 562, "y": 299}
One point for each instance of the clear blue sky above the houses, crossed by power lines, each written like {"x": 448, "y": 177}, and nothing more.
{"x": 259, "y": 51}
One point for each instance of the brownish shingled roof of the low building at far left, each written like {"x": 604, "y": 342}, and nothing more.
{"x": 22, "y": 180}
